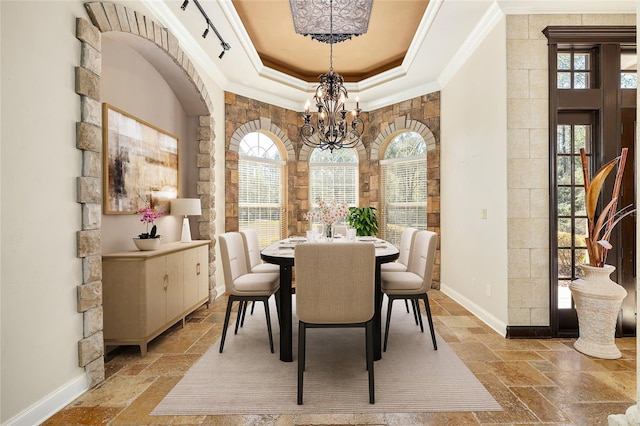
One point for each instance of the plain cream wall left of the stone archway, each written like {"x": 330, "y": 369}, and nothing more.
{"x": 40, "y": 163}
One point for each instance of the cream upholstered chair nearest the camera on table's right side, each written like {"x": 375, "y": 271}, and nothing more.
{"x": 413, "y": 283}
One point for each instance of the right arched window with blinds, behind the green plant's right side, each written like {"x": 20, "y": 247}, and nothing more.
{"x": 403, "y": 172}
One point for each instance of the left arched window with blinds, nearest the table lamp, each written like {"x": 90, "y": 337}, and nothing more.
{"x": 261, "y": 187}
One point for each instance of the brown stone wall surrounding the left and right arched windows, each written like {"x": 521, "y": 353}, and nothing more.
{"x": 421, "y": 114}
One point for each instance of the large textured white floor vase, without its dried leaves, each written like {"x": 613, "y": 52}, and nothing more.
{"x": 598, "y": 300}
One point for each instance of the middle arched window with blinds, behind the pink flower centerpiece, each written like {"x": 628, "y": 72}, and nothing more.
{"x": 333, "y": 176}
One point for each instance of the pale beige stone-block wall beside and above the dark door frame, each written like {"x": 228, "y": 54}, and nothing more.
{"x": 528, "y": 160}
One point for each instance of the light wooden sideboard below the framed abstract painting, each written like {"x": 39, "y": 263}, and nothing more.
{"x": 146, "y": 292}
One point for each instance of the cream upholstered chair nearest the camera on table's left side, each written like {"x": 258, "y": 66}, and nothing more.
{"x": 242, "y": 285}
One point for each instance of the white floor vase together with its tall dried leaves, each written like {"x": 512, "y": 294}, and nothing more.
{"x": 596, "y": 296}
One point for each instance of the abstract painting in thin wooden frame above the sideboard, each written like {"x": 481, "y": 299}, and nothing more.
{"x": 140, "y": 163}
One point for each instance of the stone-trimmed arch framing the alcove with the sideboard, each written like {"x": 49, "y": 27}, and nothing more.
{"x": 114, "y": 17}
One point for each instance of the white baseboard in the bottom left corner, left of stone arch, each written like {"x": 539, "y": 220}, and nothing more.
{"x": 50, "y": 404}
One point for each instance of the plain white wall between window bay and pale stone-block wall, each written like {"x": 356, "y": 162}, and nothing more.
{"x": 474, "y": 179}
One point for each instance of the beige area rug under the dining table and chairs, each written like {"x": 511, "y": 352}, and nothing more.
{"x": 248, "y": 379}
